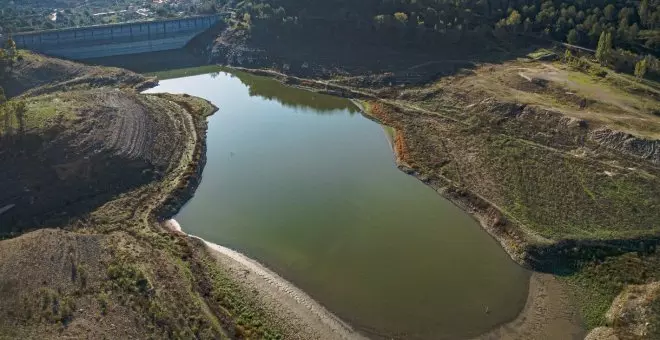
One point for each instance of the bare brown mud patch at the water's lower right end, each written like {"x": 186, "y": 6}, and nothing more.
{"x": 548, "y": 314}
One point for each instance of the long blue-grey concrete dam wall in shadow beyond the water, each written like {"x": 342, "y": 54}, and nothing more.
{"x": 115, "y": 39}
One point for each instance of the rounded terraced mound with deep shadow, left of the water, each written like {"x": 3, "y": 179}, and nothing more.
{"x": 68, "y": 152}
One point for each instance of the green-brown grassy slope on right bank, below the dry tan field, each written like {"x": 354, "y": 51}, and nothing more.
{"x": 532, "y": 164}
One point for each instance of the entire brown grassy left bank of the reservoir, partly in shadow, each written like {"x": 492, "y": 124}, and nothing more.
{"x": 93, "y": 171}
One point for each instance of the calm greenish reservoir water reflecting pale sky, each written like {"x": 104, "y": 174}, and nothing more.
{"x": 306, "y": 185}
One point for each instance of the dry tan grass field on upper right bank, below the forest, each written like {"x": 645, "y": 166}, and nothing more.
{"x": 615, "y": 101}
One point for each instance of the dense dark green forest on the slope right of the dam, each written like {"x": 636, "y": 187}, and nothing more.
{"x": 634, "y": 25}
